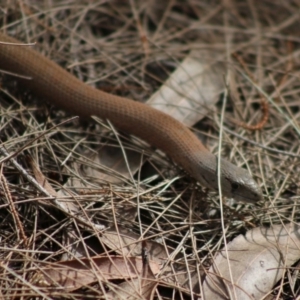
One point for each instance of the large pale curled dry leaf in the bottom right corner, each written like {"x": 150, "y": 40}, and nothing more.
{"x": 257, "y": 261}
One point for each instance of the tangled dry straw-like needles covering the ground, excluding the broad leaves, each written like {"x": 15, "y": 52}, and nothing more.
{"x": 129, "y": 49}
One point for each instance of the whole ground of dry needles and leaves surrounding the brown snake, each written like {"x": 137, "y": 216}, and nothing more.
{"x": 139, "y": 227}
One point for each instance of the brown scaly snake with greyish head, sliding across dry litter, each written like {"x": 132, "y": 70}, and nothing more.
{"x": 54, "y": 84}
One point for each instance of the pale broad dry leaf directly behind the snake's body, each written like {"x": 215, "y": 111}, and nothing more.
{"x": 192, "y": 89}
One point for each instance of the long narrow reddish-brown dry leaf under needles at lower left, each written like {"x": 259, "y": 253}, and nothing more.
{"x": 74, "y": 274}
